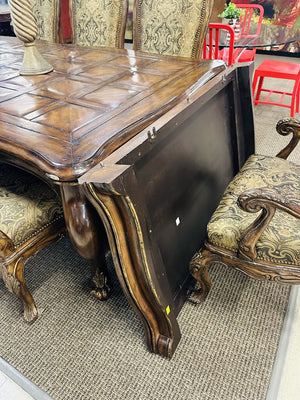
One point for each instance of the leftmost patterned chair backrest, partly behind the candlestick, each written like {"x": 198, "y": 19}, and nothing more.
{"x": 47, "y": 16}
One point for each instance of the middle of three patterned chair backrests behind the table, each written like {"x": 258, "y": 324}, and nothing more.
{"x": 99, "y": 22}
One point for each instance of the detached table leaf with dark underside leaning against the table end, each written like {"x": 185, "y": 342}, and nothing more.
{"x": 156, "y": 193}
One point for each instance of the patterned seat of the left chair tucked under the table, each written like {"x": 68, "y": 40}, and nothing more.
{"x": 27, "y": 204}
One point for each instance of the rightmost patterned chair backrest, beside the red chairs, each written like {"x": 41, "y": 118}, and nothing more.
{"x": 171, "y": 27}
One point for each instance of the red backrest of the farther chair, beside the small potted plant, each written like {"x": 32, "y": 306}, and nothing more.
{"x": 251, "y": 11}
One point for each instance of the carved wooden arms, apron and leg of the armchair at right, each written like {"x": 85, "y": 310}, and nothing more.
{"x": 245, "y": 259}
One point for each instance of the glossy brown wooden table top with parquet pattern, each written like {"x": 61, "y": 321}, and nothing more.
{"x": 63, "y": 123}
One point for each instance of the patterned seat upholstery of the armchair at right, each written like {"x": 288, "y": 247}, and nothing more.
{"x": 280, "y": 242}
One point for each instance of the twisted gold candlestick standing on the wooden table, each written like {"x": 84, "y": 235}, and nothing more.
{"x": 25, "y": 29}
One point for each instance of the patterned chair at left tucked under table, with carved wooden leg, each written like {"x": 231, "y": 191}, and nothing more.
{"x": 31, "y": 218}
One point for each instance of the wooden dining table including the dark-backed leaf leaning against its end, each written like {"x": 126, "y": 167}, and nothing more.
{"x": 141, "y": 147}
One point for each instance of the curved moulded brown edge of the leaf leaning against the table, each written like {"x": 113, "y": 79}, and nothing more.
{"x": 128, "y": 251}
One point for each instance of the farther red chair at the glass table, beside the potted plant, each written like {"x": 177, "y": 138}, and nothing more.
{"x": 251, "y": 11}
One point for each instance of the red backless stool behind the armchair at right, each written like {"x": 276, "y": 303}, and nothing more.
{"x": 281, "y": 70}
